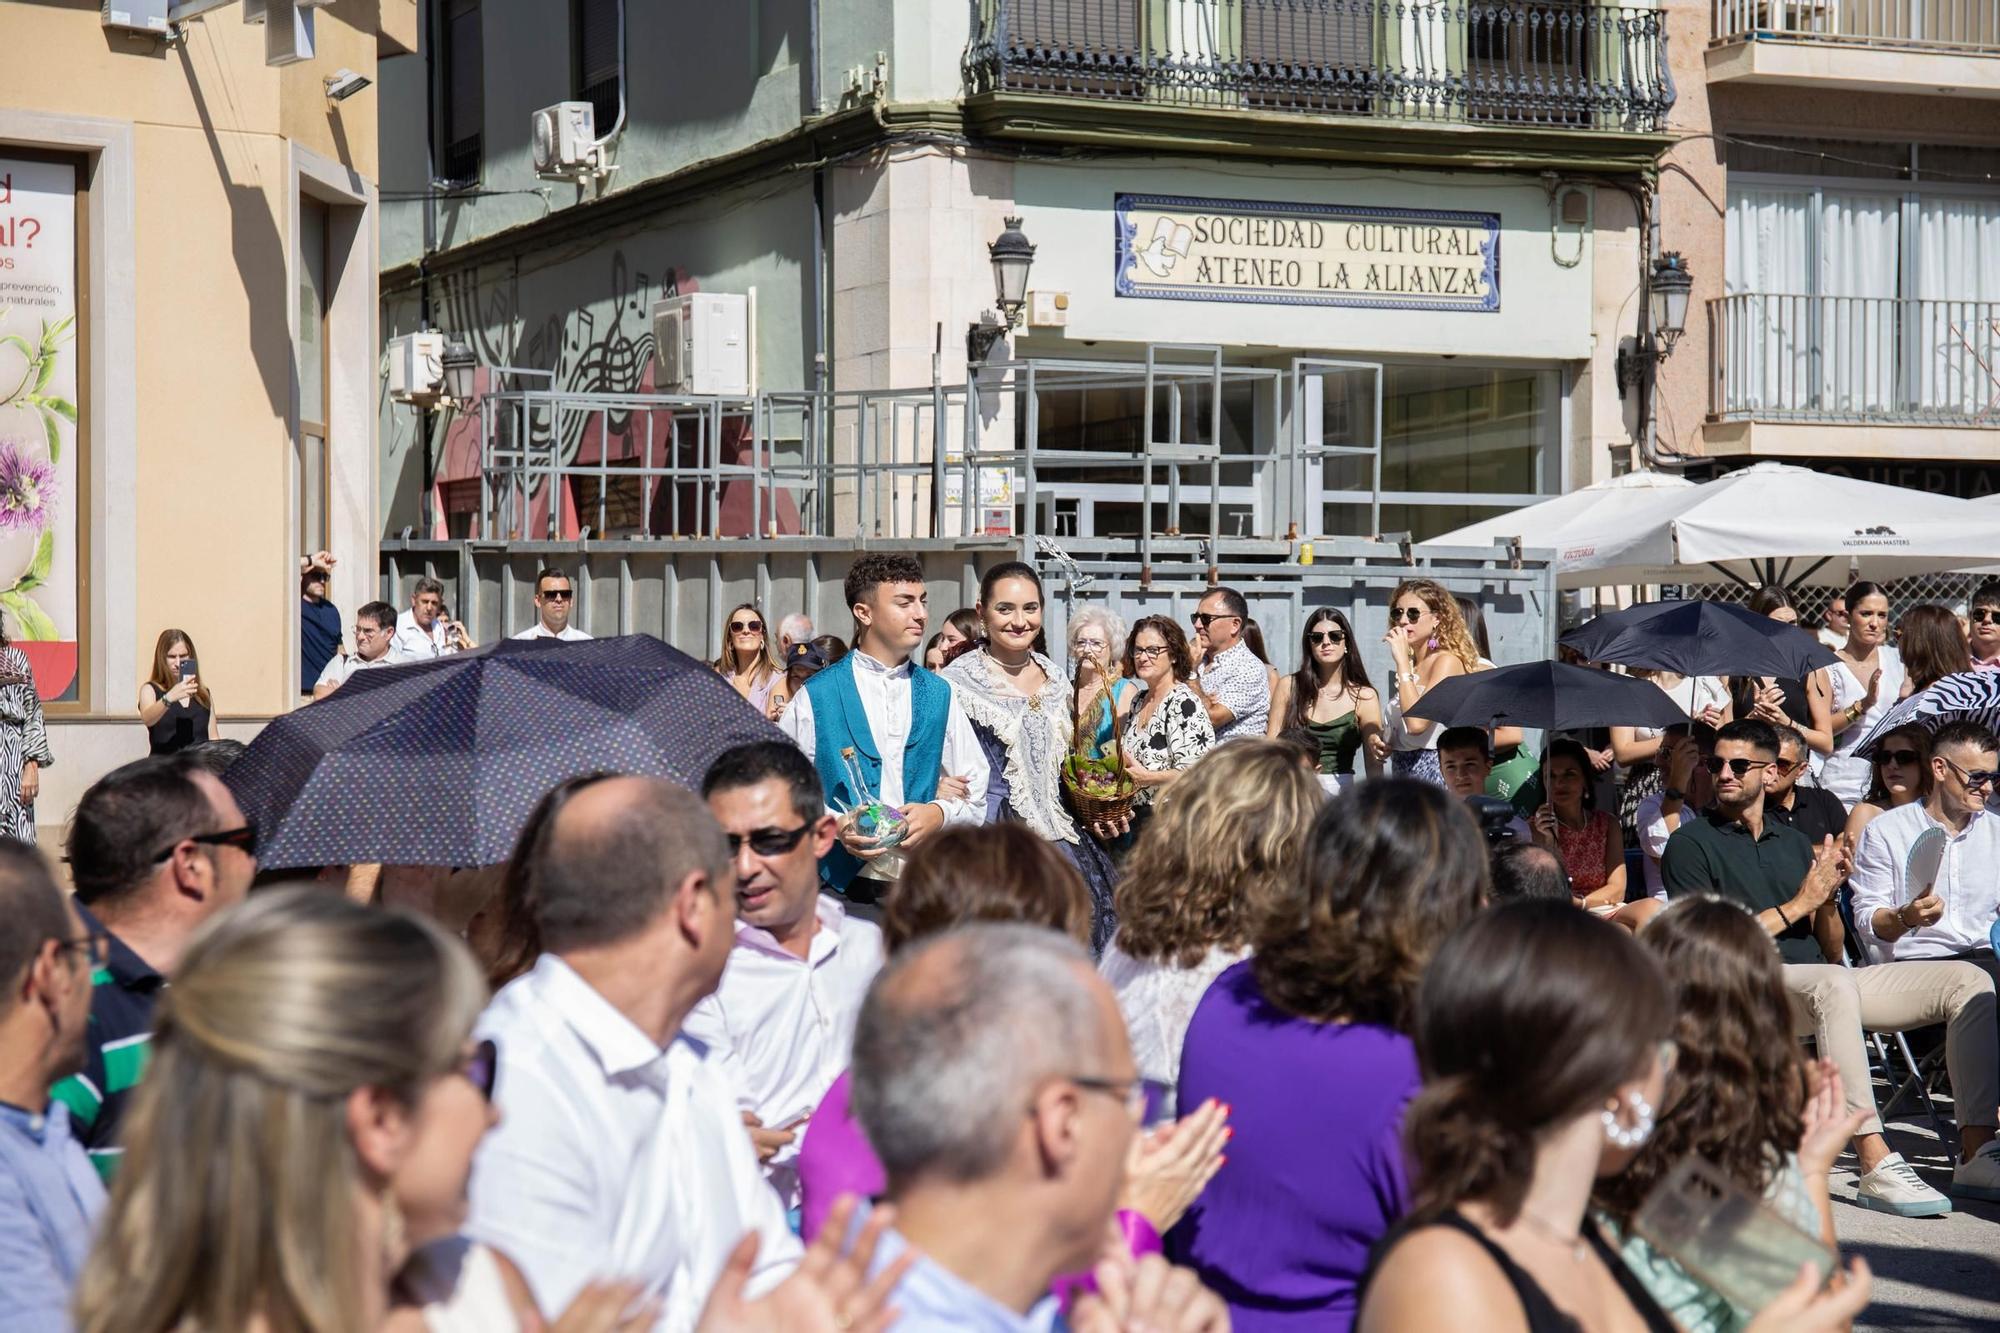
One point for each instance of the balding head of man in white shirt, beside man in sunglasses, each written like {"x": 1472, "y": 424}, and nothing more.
{"x": 615, "y": 858}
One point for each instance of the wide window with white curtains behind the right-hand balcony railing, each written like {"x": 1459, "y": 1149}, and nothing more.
{"x": 1869, "y": 291}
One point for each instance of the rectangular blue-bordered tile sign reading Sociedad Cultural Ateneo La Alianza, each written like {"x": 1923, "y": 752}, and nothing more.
{"x": 1307, "y": 255}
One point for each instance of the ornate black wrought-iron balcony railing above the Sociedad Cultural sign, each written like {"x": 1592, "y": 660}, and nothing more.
{"x": 1533, "y": 63}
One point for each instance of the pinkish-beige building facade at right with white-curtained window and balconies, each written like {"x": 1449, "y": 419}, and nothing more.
{"x": 1837, "y": 193}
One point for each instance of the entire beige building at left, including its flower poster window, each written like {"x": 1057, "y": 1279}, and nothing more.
{"x": 189, "y": 347}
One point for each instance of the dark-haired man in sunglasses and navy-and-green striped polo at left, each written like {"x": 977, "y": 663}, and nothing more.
{"x": 157, "y": 848}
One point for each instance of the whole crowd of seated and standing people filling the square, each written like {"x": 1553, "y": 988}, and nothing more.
{"x": 1335, "y": 1026}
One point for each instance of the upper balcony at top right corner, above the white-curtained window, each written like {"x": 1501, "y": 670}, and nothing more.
{"x": 1915, "y": 47}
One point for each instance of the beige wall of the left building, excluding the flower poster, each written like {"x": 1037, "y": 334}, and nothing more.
{"x": 199, "y": 157}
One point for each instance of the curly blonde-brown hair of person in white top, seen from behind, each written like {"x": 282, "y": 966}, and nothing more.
{"x": 1221, "y": 856}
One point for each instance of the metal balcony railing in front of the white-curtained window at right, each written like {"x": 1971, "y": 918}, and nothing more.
{"x": 1855, "y": 359}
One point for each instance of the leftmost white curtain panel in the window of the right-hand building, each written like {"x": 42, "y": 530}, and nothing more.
{"x": 1767, "y": 351}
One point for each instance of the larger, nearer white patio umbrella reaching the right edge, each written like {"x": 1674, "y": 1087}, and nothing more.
{"x": 1781, "y": 523}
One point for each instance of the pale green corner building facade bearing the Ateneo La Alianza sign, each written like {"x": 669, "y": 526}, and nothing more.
{"x": 1363, "y": 265}
